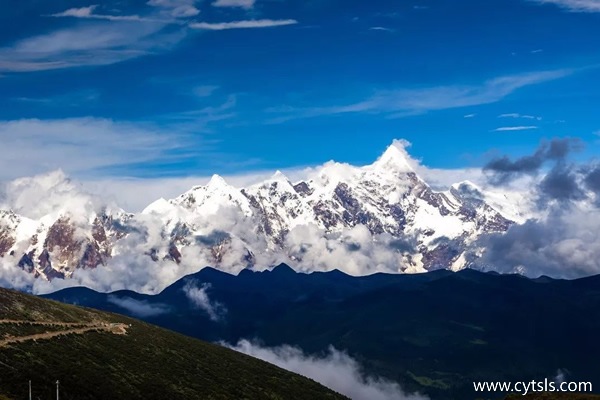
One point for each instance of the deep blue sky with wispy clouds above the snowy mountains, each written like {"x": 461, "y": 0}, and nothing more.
{"x": 167, "y": 88}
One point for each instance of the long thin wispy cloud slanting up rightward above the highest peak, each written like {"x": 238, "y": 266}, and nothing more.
{"x": 403, "y": 102}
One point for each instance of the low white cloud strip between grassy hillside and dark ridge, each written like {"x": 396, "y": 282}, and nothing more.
{"x": 336, "y": 370}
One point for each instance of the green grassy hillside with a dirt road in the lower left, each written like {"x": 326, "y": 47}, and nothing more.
{"x": 97, "y": 355}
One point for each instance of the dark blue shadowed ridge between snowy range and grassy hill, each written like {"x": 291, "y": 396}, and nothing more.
{"x": 434, "y": 333}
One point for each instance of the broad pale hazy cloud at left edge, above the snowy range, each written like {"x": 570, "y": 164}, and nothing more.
{"x": 91, "y": 144}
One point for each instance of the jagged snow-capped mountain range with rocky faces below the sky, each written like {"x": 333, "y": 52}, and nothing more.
{"x": 379, "y": 217}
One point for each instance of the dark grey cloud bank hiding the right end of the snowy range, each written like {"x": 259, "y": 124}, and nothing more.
{"x": 564, "y": 242}
